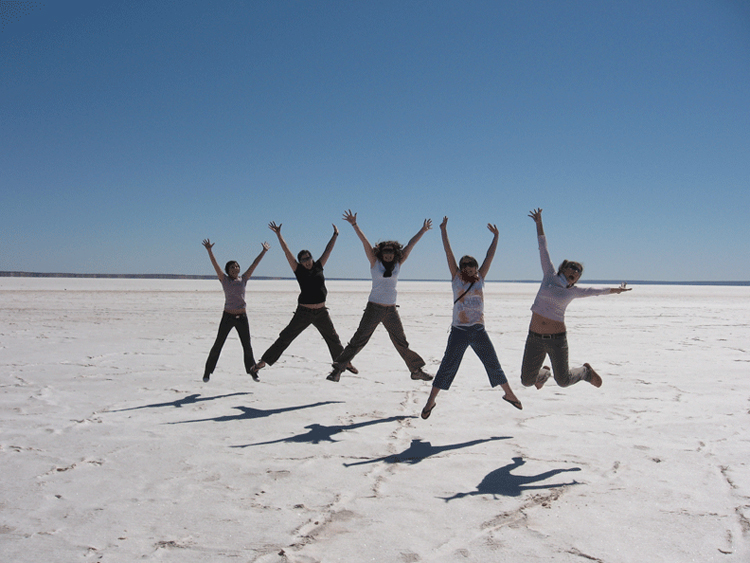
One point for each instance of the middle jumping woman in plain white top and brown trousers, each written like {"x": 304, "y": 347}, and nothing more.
{"x": 385, "y": 264}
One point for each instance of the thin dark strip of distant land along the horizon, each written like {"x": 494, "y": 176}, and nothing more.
{"x": 211, "y": 277}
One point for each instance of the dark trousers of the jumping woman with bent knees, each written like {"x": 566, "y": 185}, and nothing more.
{"x": 556, "y": 346}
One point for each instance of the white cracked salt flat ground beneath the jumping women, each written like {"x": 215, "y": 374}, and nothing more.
{"x": 112, "y": 449}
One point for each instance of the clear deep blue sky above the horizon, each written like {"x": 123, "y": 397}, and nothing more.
{"x": 132, "y": 130}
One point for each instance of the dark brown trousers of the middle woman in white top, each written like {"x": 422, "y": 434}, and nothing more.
{"x": 374, "y": 315}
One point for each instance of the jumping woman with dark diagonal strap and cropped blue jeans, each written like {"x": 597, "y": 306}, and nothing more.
{"x": 467, "y": 328}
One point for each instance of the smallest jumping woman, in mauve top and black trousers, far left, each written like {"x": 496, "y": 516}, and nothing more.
{"x": 235, "y": 315}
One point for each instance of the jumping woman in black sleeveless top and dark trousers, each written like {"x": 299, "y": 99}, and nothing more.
{"x": 311, "y": 303}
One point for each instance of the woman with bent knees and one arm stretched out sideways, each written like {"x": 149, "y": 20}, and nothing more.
{"x": 547, "y": 332}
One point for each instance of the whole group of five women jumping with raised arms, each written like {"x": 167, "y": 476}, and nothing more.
{"x": 547, "y": 332}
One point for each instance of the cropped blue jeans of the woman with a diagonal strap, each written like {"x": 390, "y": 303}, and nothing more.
{"x": 460, "y": 339}
